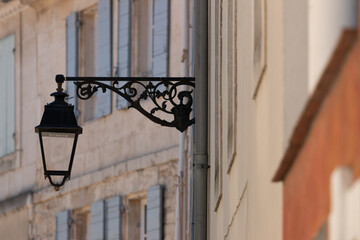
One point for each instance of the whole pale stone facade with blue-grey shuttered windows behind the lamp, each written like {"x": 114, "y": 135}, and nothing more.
{"x": 123, "y": 161}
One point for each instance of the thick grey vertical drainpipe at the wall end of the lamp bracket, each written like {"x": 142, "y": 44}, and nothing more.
{"x": 201, "y": 124}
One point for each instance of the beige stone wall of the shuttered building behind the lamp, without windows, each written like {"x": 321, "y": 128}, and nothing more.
{"x": 120, "y": 154}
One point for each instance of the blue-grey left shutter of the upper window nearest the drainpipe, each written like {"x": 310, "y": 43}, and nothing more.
{"x": 124, "y": 46}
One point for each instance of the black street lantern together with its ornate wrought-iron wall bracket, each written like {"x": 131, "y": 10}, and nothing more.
{"x": 171, "y": 99}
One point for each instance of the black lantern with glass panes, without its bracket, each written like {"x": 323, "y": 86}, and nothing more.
{"x": 58, "y": 122}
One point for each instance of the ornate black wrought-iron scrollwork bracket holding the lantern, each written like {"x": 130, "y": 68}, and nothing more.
{"x": 164, "y": 100}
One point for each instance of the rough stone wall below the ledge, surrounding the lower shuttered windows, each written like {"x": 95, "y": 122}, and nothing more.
{"x": 47, "y": 203}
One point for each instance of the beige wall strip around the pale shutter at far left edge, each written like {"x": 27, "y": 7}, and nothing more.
{"x": 20, "y": 172}
